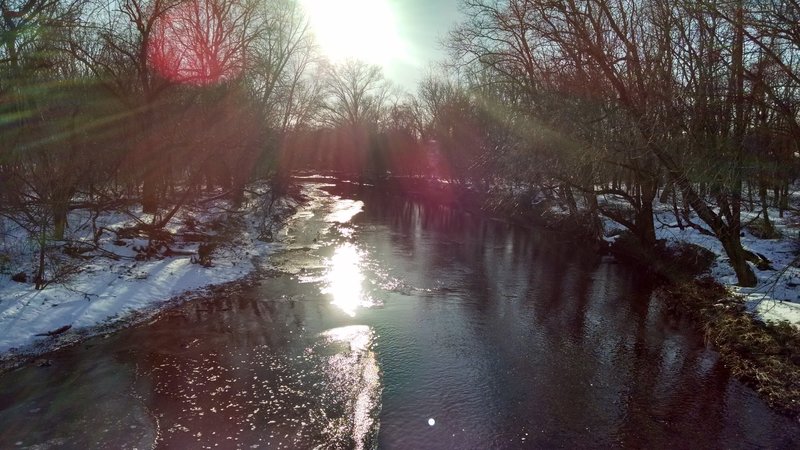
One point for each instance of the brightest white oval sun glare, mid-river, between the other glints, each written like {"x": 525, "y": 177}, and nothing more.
{"x": 344, "y": 279}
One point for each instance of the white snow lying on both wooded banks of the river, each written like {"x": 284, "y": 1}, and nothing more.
{"x": 104, "y": 290}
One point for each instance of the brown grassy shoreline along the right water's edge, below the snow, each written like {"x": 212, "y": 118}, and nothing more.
{"x": 762, "y": 354}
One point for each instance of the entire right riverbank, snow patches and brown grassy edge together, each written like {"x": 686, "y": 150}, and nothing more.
{"x": 754, "y": 330}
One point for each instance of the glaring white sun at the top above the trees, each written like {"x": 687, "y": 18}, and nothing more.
{"x": 356, "y": 29}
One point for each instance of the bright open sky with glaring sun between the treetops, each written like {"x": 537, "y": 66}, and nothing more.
{"x": 402, "y": 36}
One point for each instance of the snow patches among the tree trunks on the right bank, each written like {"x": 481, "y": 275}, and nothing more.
{"x": 776, "y": 296}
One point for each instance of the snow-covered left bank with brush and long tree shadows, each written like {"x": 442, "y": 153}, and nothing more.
{"x": 109, "y": 284}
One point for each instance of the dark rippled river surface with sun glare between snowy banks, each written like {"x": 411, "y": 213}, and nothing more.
{"x": 393, "y": 323}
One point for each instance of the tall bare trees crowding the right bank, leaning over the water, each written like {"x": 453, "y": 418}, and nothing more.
{"x": 621, "y": 102}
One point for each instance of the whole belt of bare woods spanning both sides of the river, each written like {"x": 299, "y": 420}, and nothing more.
{"x": 601, "y": 106}
